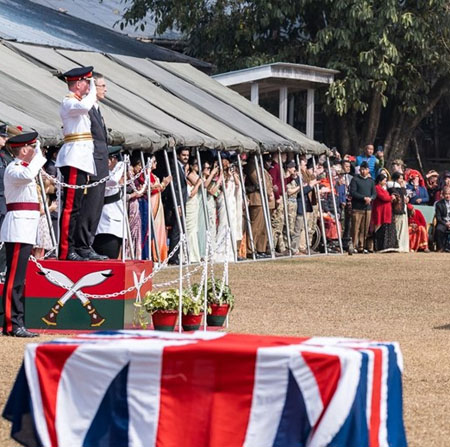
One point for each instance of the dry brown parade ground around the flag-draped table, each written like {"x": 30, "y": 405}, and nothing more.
{"x": 392, "y": 297}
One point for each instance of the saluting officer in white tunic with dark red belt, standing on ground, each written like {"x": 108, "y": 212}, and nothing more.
{"x": 19, "y": 229}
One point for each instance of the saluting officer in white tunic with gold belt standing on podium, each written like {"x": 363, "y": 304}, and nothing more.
{"x": 76, "y": 157}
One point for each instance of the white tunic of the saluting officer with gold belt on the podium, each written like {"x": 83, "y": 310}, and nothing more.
{"x": 76, "y": 121}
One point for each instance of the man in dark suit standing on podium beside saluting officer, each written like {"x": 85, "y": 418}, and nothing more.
{"x": 92, "y": 206}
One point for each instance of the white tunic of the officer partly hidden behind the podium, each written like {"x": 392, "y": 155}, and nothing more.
{"x": 111, "y": 220}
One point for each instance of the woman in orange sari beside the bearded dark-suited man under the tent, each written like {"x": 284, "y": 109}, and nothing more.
{"x": 160, "y": 235}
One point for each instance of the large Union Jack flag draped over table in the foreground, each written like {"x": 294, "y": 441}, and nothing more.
{"x": 145, "y": 389}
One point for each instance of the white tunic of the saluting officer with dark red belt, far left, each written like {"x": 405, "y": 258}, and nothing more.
{"x": 20, "y": 186}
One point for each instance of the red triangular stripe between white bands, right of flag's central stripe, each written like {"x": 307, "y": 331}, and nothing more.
{"x": 326, "y": 370}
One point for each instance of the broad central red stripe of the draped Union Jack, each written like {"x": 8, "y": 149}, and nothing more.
{"x": 207, "y": 389}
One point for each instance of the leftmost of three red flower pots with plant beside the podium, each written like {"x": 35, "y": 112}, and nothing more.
{"x": 163, "y": 306}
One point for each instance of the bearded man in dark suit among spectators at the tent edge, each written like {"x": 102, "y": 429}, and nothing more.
{"x": 169, "y": 207}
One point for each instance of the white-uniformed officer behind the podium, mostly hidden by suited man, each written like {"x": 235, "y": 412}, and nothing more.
{"x": 109, "y": 235}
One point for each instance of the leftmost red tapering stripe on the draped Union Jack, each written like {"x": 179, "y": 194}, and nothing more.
{"x": 50, "y": 361}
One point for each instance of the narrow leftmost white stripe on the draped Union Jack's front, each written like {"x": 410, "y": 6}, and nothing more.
{"x": 35, "y": 392}
